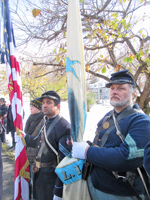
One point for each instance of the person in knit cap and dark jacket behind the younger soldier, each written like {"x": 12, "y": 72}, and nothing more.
{"x": 32, "y": 127}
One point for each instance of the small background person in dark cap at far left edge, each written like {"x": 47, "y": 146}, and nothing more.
{"x": 3, "y": 119}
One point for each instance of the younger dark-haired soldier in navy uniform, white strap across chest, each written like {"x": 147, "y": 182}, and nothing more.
{"x": 53, "y": 143}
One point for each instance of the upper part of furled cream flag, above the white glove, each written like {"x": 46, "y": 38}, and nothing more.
{"x": 76, "y": 71}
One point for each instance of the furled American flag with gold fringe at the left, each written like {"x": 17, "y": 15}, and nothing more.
{"x": 22, "y": 176}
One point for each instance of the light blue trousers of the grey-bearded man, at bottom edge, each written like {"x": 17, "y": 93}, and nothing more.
{"x": 98, "y": 195}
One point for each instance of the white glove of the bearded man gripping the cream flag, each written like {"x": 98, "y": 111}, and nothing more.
{"x": 78, "y": 149}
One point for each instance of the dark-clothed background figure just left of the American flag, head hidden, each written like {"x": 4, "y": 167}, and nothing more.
{"x": 10, "y": 127}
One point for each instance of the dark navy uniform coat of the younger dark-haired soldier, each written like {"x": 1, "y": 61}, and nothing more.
{"x": 47, "y": 182}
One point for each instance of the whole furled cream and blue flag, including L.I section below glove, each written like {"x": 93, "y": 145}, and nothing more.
{"x": 74, "y": 186}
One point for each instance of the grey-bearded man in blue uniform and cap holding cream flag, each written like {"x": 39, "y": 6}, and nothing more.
{"x": 116, "y": 155}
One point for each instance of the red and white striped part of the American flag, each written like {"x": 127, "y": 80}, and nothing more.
{"x": 21, "y": 188}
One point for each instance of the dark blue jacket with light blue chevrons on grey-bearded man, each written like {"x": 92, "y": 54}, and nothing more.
{"x": 119, "y": 156}
